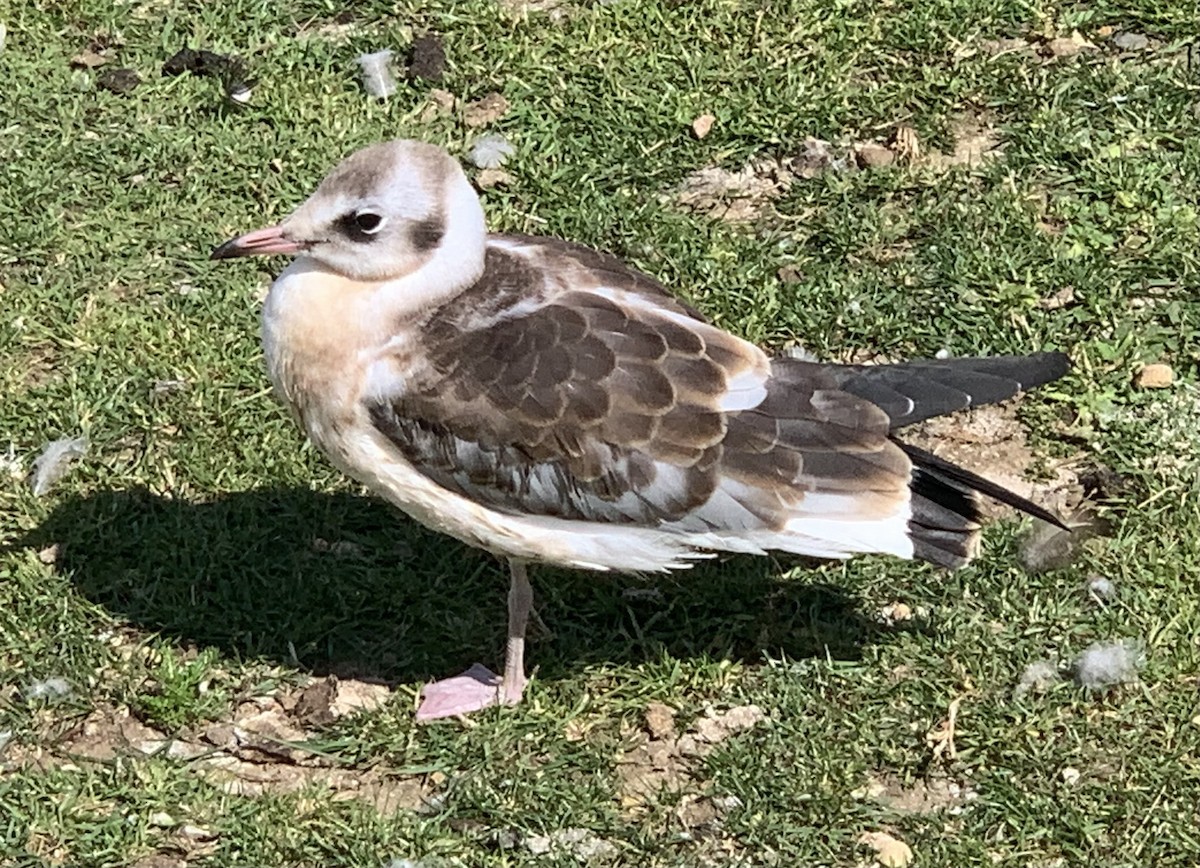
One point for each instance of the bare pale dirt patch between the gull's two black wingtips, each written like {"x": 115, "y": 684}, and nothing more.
{"x": 992, "y": 442}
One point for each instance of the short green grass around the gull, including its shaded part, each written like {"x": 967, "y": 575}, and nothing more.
{"x": 189, "y": 577}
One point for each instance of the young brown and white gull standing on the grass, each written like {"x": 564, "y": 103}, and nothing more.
{"x": 550, "y": 404}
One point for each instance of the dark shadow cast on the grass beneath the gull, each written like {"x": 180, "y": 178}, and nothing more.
{"x": 344, "y": 584}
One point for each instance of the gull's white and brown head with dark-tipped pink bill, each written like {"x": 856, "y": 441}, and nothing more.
{"x": 383, "y": 213}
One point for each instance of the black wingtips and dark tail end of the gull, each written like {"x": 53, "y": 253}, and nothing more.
{"x": 945, "y": 524}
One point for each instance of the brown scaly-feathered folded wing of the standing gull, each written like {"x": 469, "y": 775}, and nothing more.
{"x": 555, "y": 390}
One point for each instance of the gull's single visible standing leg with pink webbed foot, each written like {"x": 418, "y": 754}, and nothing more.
{"x": 479, "y": 687}
